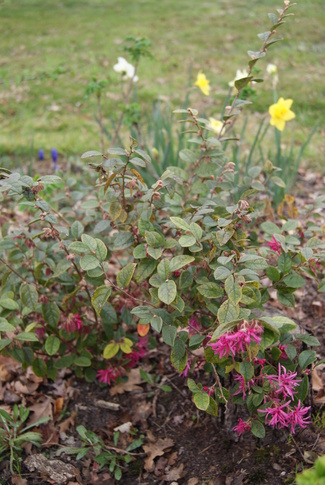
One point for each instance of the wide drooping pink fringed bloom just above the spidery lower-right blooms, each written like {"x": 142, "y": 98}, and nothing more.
{"x": 238, "y": 341}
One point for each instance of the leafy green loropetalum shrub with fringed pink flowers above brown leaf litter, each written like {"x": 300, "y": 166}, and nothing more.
{"x": 90, "y": 277}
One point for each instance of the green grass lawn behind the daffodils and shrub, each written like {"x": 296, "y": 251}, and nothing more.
{"x": 83, "y": 38}
